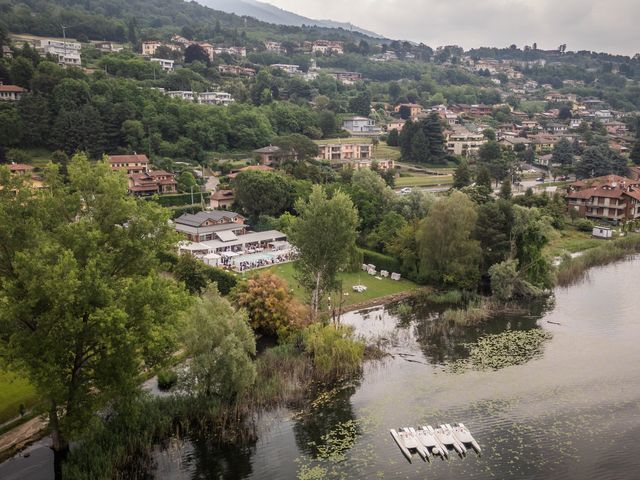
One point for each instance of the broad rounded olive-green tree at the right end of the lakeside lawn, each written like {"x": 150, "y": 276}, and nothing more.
{"x": 448, "y": 254}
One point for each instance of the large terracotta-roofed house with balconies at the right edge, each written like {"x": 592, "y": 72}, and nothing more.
{"x": 610, "y": 198}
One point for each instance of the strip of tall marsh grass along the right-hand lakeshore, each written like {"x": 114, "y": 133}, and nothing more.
{"x": 572, "y": 270}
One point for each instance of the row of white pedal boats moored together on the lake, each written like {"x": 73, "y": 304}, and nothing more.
{"x": 429, "y": 442}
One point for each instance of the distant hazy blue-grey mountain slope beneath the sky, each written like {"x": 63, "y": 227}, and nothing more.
{"x": 272, "y": 14}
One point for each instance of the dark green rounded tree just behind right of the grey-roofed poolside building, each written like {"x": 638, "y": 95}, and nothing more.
{"x": 263, "y": 193}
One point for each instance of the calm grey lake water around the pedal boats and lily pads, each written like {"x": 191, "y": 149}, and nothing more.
{"x": 572, "y": 412}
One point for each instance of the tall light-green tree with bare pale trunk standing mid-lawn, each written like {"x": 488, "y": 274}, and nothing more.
{"x": 325, "y": 236}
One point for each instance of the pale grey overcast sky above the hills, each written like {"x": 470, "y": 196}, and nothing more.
{"x": 600, "y": 25}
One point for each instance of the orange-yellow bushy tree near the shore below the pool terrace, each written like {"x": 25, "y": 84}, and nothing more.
{"x": 271, "y": 308}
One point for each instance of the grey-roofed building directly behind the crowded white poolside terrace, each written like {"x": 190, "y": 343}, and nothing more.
{"x": 211, "y": 225}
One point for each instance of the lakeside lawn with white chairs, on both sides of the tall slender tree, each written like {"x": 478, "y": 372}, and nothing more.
{"x": 375, "y": 288}
